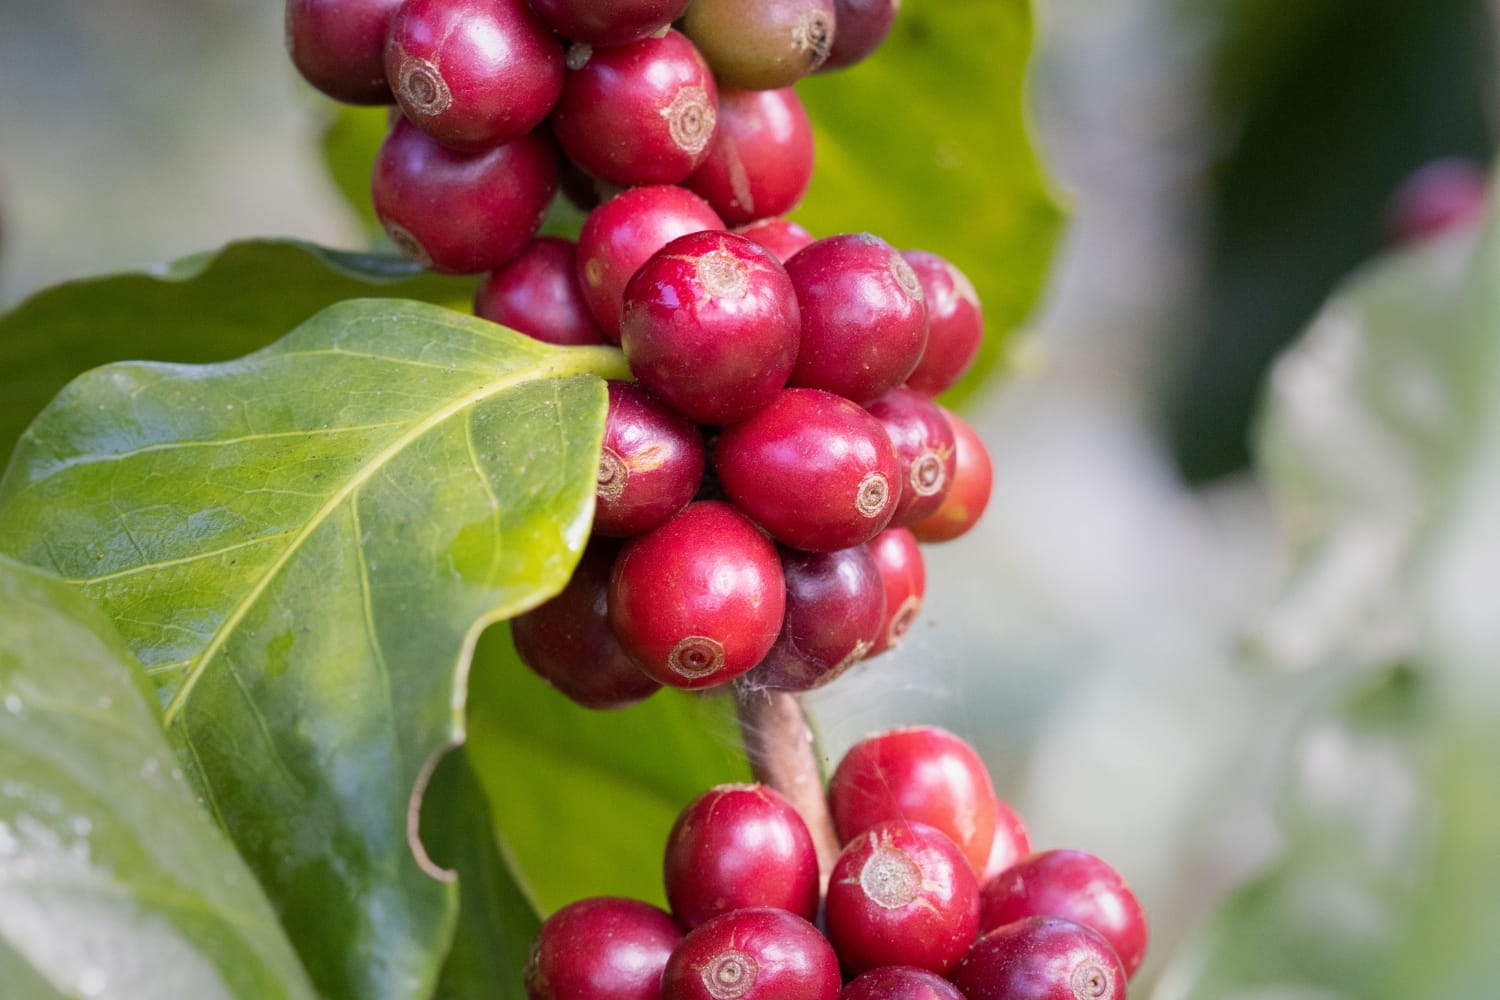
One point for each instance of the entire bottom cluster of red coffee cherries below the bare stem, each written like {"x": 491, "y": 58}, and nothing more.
{"x": 937, "y": 896}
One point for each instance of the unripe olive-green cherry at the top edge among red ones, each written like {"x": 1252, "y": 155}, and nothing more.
{"x": 764, "y": 46}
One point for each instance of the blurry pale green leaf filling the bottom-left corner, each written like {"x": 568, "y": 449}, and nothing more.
{"x": 113, "y": 882}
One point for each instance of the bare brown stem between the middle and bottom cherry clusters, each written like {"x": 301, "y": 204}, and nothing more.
{"x": 781, "y": 749}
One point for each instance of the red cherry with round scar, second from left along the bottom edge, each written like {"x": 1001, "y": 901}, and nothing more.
{"x": 755, "y": 954}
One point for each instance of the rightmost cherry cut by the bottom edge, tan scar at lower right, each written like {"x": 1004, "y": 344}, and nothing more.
{"x": 1040, "y": 959}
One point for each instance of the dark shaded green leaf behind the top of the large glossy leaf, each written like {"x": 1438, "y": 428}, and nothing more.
{"x": 208, "y": 308}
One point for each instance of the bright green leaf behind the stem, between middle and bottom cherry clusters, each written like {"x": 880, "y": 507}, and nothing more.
{"x": 586, "y": 800}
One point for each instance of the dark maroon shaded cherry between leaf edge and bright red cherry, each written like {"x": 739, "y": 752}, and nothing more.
{"x": 568, "y": 641}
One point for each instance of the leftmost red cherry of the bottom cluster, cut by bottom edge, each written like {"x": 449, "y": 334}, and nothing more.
{"x": 602, "y": 950}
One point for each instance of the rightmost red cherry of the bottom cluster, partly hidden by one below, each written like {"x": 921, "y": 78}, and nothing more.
{"x": 1076, "y": 887}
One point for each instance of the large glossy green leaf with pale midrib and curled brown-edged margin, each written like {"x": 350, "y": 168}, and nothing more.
{"x": 302, "y": 549}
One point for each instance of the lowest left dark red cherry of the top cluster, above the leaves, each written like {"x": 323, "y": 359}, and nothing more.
{"x": 461, "y": 214}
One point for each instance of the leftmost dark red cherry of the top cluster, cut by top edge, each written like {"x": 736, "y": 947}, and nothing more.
{"x": 340, "y": 47}
